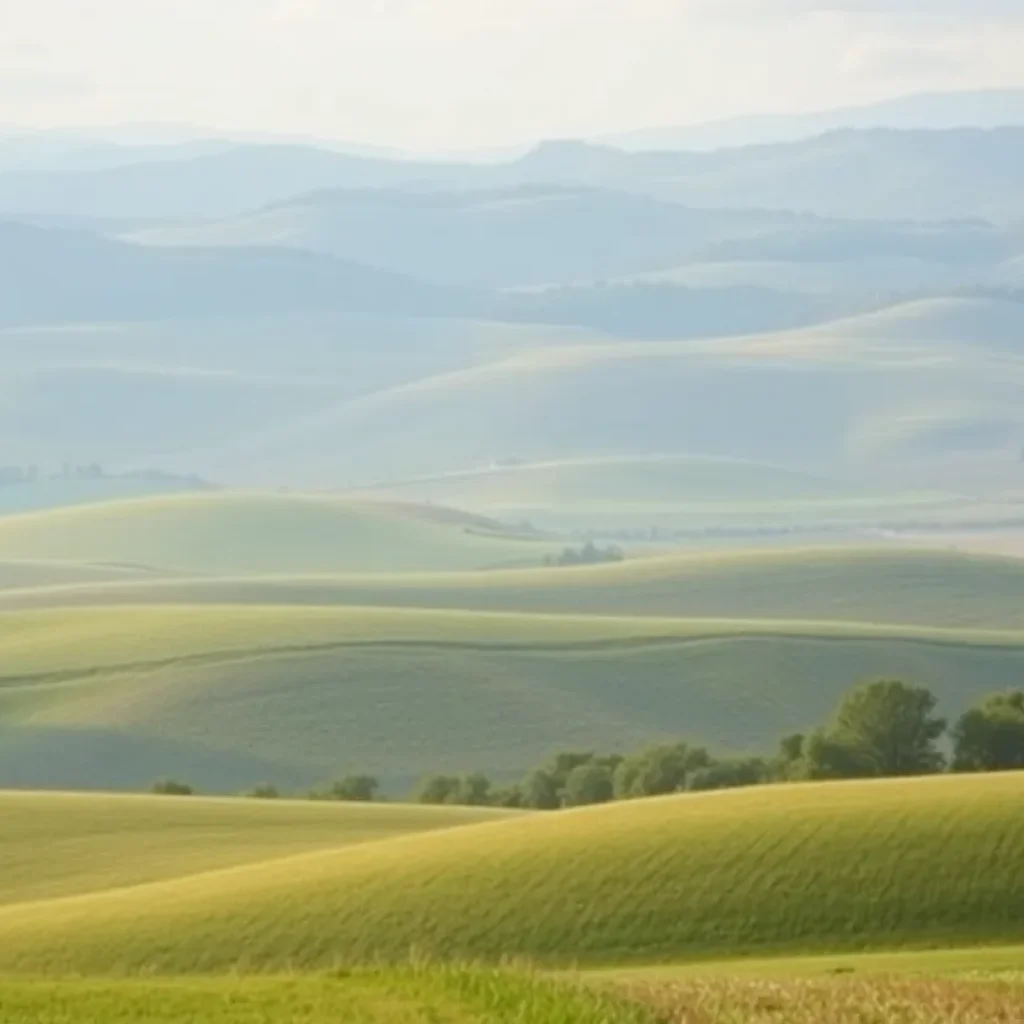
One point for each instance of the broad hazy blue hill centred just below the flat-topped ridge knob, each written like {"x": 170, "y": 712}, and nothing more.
{"x": 527, "y": 236}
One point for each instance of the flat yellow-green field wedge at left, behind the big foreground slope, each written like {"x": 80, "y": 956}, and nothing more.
{"x": 59, "y": 845}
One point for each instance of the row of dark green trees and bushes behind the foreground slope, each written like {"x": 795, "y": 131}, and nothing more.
{"x": 881, "y": 729}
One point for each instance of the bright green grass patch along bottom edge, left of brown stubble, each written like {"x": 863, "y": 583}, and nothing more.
{"x": 417, "y": 996}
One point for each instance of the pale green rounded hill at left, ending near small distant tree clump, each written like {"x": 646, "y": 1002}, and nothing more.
{"x": 262, "y": 533}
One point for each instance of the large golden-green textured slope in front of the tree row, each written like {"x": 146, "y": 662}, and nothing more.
{"x": 798, "y": 868}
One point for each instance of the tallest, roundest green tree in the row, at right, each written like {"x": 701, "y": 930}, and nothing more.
{"x": 886, "y": 728}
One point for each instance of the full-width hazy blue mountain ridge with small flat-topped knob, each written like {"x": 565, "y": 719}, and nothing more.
{"x": 931, "y": 176}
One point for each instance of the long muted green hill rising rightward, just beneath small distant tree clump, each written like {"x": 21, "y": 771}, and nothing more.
{"x": 915, "y": 587}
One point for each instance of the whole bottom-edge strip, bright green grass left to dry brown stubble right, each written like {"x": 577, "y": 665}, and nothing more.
{"x": 458, "y": 996}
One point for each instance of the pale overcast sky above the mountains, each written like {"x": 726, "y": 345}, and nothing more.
{"x": 441, "y": 74}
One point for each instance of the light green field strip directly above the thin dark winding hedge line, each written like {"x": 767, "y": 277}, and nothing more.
{"x": 194, "y": 637}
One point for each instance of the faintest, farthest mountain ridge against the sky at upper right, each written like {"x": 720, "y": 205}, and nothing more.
{"x": 934, "y": 111}
